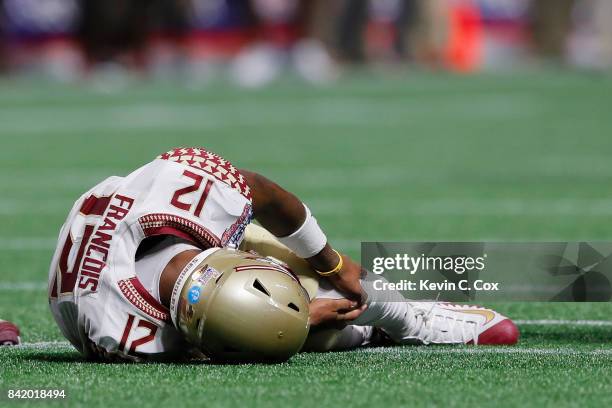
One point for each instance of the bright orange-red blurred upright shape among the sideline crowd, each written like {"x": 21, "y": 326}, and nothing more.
{"x": 464, "y": 52}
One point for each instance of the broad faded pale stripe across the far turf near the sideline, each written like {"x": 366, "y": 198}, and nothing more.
{"x": 221, "y": 115}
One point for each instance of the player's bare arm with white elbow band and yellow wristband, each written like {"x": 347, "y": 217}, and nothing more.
{"x": 285, "y": 216}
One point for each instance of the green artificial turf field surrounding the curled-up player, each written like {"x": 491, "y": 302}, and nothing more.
{"x": 421, "y": 157}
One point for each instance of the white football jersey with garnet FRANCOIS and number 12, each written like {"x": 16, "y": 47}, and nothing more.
{"x": 94, "y": 294}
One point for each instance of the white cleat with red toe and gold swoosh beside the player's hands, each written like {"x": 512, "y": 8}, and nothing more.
{"x": 448, "y": 323}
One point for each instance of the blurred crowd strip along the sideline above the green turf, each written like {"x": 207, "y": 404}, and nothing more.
{"x": 254, "y": 42}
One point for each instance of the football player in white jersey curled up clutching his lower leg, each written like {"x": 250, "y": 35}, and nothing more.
{"x": 161, "y": 264}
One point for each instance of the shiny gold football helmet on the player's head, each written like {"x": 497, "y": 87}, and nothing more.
{"x": 238, "y": 306}
